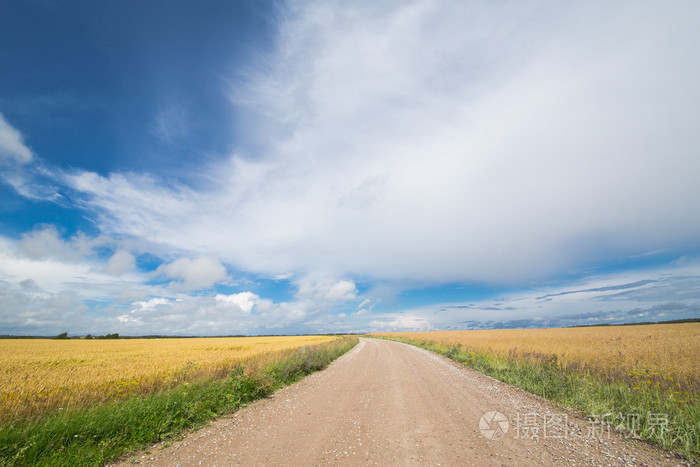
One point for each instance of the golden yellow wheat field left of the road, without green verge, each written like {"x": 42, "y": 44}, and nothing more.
{"x": 39, "y": 375}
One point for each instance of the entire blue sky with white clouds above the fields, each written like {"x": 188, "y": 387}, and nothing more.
{"x": 271, "y": 167}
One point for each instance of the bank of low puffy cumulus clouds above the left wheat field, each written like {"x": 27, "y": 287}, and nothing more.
{"x": 48, "y": 282}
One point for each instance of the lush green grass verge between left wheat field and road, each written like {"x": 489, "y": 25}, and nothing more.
{"x": 95, "y": 435}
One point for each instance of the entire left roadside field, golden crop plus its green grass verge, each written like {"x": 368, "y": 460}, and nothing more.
{"x": 174, "y": 385}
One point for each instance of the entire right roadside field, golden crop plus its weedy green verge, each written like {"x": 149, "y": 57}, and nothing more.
{"x": 646, "y": 374}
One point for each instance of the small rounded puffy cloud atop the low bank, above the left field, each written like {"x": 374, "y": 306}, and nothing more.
{"x": 194, "y": 273}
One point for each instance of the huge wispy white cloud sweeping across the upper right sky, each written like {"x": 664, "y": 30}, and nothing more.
{"x": 437, "y": 141}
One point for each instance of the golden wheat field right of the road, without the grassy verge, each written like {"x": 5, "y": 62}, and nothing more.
{"x": 663, "y": 350}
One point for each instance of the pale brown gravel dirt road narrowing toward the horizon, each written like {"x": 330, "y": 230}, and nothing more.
{"x": 386, "y": 403}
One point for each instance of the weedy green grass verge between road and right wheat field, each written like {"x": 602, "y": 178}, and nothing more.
{"x": 645, "y": 411}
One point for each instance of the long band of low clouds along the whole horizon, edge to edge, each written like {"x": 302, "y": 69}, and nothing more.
{"x": 48, "y": 295}
